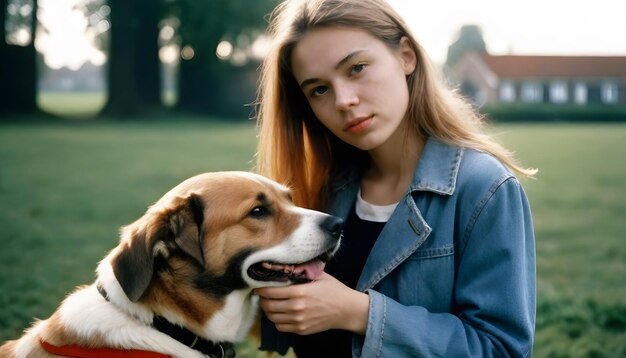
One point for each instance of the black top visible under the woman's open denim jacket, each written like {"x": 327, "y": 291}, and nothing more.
{"x": 357, "y": 241}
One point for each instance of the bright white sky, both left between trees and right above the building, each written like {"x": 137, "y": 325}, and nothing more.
{"x": 554, "y": 27}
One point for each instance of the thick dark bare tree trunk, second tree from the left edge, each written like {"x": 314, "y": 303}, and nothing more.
{"x": 134, "y": 67}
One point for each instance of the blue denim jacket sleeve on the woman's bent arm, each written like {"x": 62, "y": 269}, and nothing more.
{"x": 494, "y": 296}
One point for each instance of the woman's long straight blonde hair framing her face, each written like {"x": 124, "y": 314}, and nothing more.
{"x": 296, "y": 149}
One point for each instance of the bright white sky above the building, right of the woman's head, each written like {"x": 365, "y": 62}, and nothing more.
{"x": 530, "y": 27}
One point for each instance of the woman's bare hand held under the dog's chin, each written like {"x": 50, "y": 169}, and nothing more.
{"x": 309, "y": 308}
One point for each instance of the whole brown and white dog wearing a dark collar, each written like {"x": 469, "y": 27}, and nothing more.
{"x": 183, "y": 274}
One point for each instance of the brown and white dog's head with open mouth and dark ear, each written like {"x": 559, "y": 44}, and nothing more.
{"x": 219, "y": 232}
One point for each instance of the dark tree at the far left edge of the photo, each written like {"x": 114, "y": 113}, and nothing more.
{"x": 18, "y": 68}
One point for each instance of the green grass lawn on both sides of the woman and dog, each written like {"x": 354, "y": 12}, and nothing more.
{"x": 67, "y": 187}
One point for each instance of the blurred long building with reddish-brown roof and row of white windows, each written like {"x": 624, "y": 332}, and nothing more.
{"x": 559, "y": 80}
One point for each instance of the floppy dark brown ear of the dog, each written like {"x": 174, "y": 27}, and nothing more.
{"x": 155, "y": 235}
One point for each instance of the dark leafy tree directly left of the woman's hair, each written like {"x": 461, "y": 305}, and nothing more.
{"x": 206, "y": 83}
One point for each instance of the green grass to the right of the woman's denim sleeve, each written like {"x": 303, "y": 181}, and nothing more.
{"x": 579, "y": 210}
